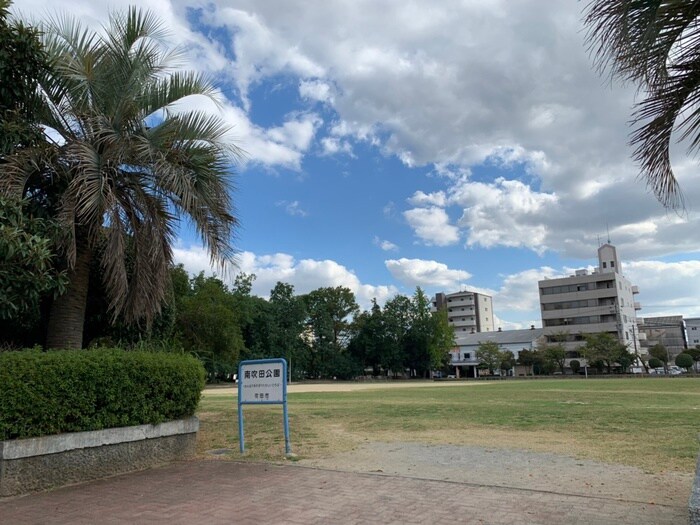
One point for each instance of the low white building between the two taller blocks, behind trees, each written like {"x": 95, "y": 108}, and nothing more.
{"x": 463, "y": 357}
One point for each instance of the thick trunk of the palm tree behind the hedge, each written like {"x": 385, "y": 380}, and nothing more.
{"x": 67, "y": 315}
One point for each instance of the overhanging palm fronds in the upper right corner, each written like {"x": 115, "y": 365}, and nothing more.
{"x": 654, "y": 44}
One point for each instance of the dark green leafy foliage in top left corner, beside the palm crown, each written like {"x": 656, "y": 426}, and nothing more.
{"x": 22, "y": 62}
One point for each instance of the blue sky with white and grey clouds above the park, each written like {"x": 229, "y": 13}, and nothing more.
{"x": 449, "y": 145}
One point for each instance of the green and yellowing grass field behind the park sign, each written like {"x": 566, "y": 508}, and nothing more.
{"x": 649, "y": 423}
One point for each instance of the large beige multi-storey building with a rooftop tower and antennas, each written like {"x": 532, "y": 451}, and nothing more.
{"x": 590, "y": 302}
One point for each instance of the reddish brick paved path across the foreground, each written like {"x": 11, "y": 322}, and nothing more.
{"x": 215, "y": 491}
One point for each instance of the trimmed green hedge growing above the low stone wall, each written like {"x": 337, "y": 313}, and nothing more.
{"x": 73, "y": 391}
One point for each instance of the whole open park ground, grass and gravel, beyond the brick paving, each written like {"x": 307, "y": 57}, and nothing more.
{"x": 633, "y": 439}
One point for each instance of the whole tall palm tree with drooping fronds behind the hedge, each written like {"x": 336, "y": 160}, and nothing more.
{"x": 124, "y": 166}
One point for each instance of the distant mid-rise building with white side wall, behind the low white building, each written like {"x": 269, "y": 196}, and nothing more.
{"x": 467, "y": 312}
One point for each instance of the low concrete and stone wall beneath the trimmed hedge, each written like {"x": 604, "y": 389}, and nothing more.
{"x": 29, "y": 465}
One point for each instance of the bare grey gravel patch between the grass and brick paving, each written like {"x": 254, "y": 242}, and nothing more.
{"x": 513, "y": 468}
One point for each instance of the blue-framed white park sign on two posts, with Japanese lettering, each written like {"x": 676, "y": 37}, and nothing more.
{"x": 263, "y": 382}
